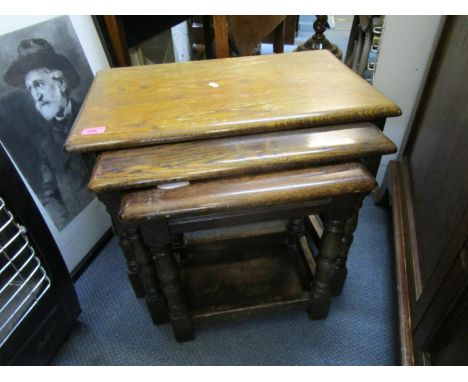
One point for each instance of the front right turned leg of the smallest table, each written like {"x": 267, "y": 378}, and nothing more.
{"x": 329, "y": 249}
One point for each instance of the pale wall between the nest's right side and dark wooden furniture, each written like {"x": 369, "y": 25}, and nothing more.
{"x": 406, "y": 51}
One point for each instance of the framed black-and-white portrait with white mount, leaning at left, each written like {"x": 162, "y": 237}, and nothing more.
{"x": 47, "y": 64}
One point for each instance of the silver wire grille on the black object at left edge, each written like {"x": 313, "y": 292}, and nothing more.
{"x": 23, "y": 281}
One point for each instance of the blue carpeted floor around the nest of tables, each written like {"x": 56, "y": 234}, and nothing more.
{"x": 115, "y": 329}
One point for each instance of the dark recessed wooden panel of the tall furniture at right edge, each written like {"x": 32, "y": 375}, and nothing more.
{"x": 438, "y": 152}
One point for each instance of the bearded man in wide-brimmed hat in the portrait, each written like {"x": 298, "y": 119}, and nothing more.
{"x": 49, "y": 78}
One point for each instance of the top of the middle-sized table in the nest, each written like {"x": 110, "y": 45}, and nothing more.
{"x": 149, "y": 166}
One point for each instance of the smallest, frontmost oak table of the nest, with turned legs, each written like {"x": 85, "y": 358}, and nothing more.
{"x": 236, "y": 286}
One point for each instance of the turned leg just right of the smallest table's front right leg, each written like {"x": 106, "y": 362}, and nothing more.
{"x": 341, "y": 270}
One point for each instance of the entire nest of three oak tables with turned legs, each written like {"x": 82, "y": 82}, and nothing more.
{"x": 253, "y": 150}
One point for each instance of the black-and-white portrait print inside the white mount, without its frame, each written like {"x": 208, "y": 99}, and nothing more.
{"x": 44, "y": 78}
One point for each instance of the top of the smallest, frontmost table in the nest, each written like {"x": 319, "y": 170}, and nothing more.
{"x": 248, "y": 191}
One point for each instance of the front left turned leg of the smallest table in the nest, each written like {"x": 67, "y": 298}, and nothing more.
{"x": 156, "y": 236}
